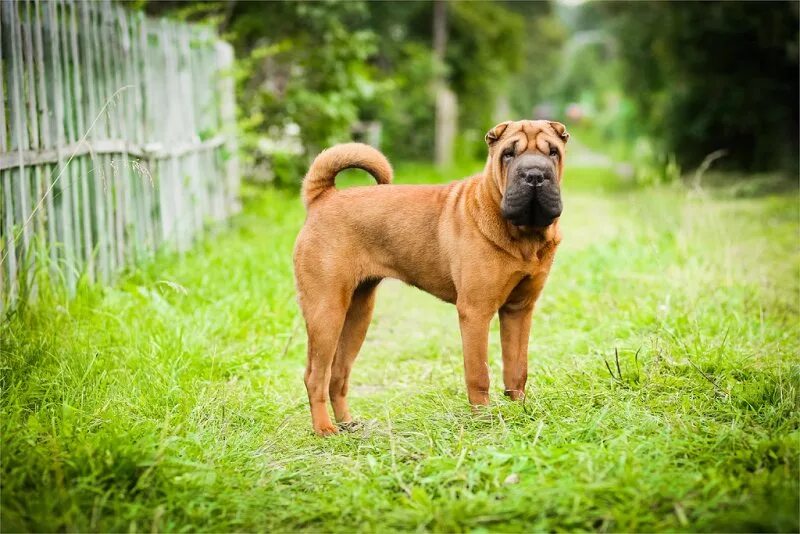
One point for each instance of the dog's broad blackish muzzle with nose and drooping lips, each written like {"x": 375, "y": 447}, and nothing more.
{"x": 532, "y": 196}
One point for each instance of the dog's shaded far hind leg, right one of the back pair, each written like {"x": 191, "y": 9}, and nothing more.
{"x": 353, "y": 333}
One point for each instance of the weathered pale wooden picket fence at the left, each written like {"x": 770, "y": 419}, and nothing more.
{"x": 117, "y": 138}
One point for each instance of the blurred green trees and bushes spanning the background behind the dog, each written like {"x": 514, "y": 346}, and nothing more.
{"x": 666, "y": 87}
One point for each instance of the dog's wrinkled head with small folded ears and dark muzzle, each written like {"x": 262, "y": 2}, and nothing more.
{"x": 526, "y": 161}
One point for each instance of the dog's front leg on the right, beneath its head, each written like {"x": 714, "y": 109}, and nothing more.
{"x": 515, "y": 327}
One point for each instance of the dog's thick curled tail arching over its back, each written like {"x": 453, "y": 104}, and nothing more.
{"x": 332, "y": 161}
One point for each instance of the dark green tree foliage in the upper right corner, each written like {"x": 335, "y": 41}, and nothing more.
{"x": 713, "y": 75}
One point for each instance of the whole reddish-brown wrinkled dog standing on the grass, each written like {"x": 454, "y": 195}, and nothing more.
{"x": 485, "y": 244}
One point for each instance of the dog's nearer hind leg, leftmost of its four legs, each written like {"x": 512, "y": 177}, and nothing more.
{"x": 324, "y": 320}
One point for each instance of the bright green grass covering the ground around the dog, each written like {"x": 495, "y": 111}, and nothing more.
{"x": 175, "y": 401}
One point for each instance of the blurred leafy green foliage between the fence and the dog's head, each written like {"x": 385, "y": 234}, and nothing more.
{"x": 318, "y": 68}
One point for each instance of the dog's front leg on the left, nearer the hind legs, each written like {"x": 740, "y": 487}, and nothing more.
{"x": 474, "y": 322}
